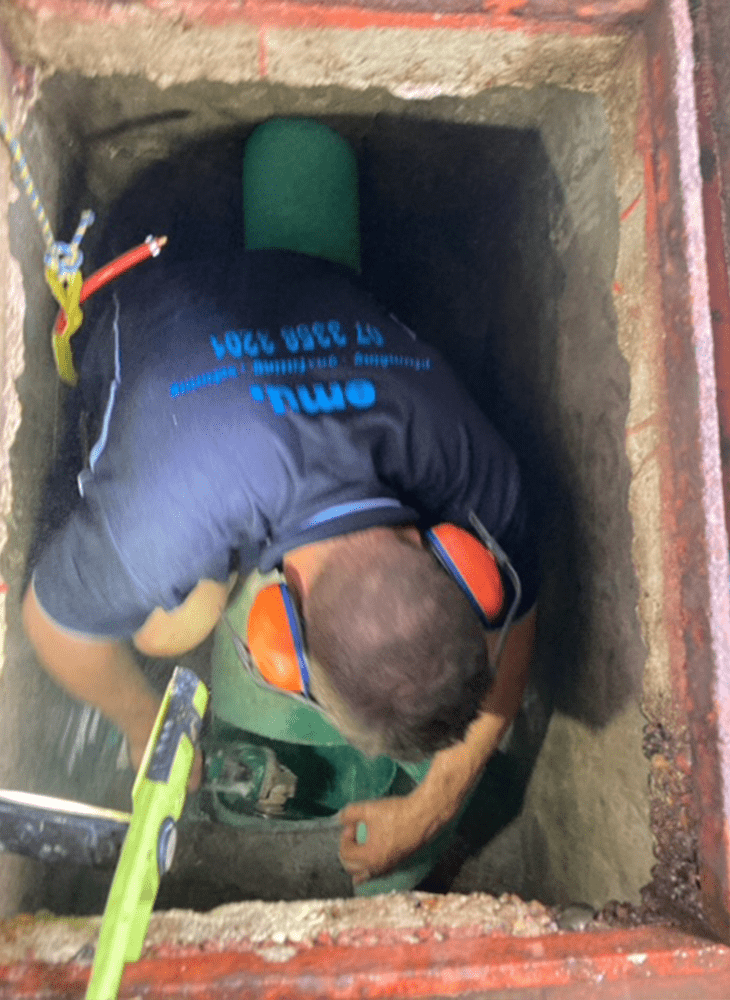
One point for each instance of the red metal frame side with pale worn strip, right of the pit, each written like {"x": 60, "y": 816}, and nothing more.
{"x": 696, "y": 562}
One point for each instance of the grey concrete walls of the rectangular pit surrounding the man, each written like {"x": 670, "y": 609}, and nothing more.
{"x": 504, "y": 220}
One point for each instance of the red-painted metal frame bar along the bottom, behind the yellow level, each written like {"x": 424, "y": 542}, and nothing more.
{"x": 647, "y": 962}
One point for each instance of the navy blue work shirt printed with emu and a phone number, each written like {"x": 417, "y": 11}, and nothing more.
{"x": 249, "y": 407}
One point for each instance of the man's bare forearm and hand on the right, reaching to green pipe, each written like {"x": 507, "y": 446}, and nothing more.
{"x": 398, "y": 826}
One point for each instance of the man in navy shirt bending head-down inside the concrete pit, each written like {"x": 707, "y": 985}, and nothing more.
{"x": 268, "y": 413}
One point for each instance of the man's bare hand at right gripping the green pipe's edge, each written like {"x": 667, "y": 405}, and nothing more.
{"x": 395, "y": 828}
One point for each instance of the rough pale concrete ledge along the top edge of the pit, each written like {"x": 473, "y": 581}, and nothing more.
{"x": 412, "y": 63}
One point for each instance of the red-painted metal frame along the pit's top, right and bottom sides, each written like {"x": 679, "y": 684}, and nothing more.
{"x": 644, "y": 962}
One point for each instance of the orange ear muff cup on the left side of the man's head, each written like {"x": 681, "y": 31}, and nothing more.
{"x": 275, "y": 640}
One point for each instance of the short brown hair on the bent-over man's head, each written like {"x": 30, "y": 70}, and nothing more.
{"x": 399, "y": 643}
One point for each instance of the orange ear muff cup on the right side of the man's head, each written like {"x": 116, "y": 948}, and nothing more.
{"x": 472, "y": 566}
